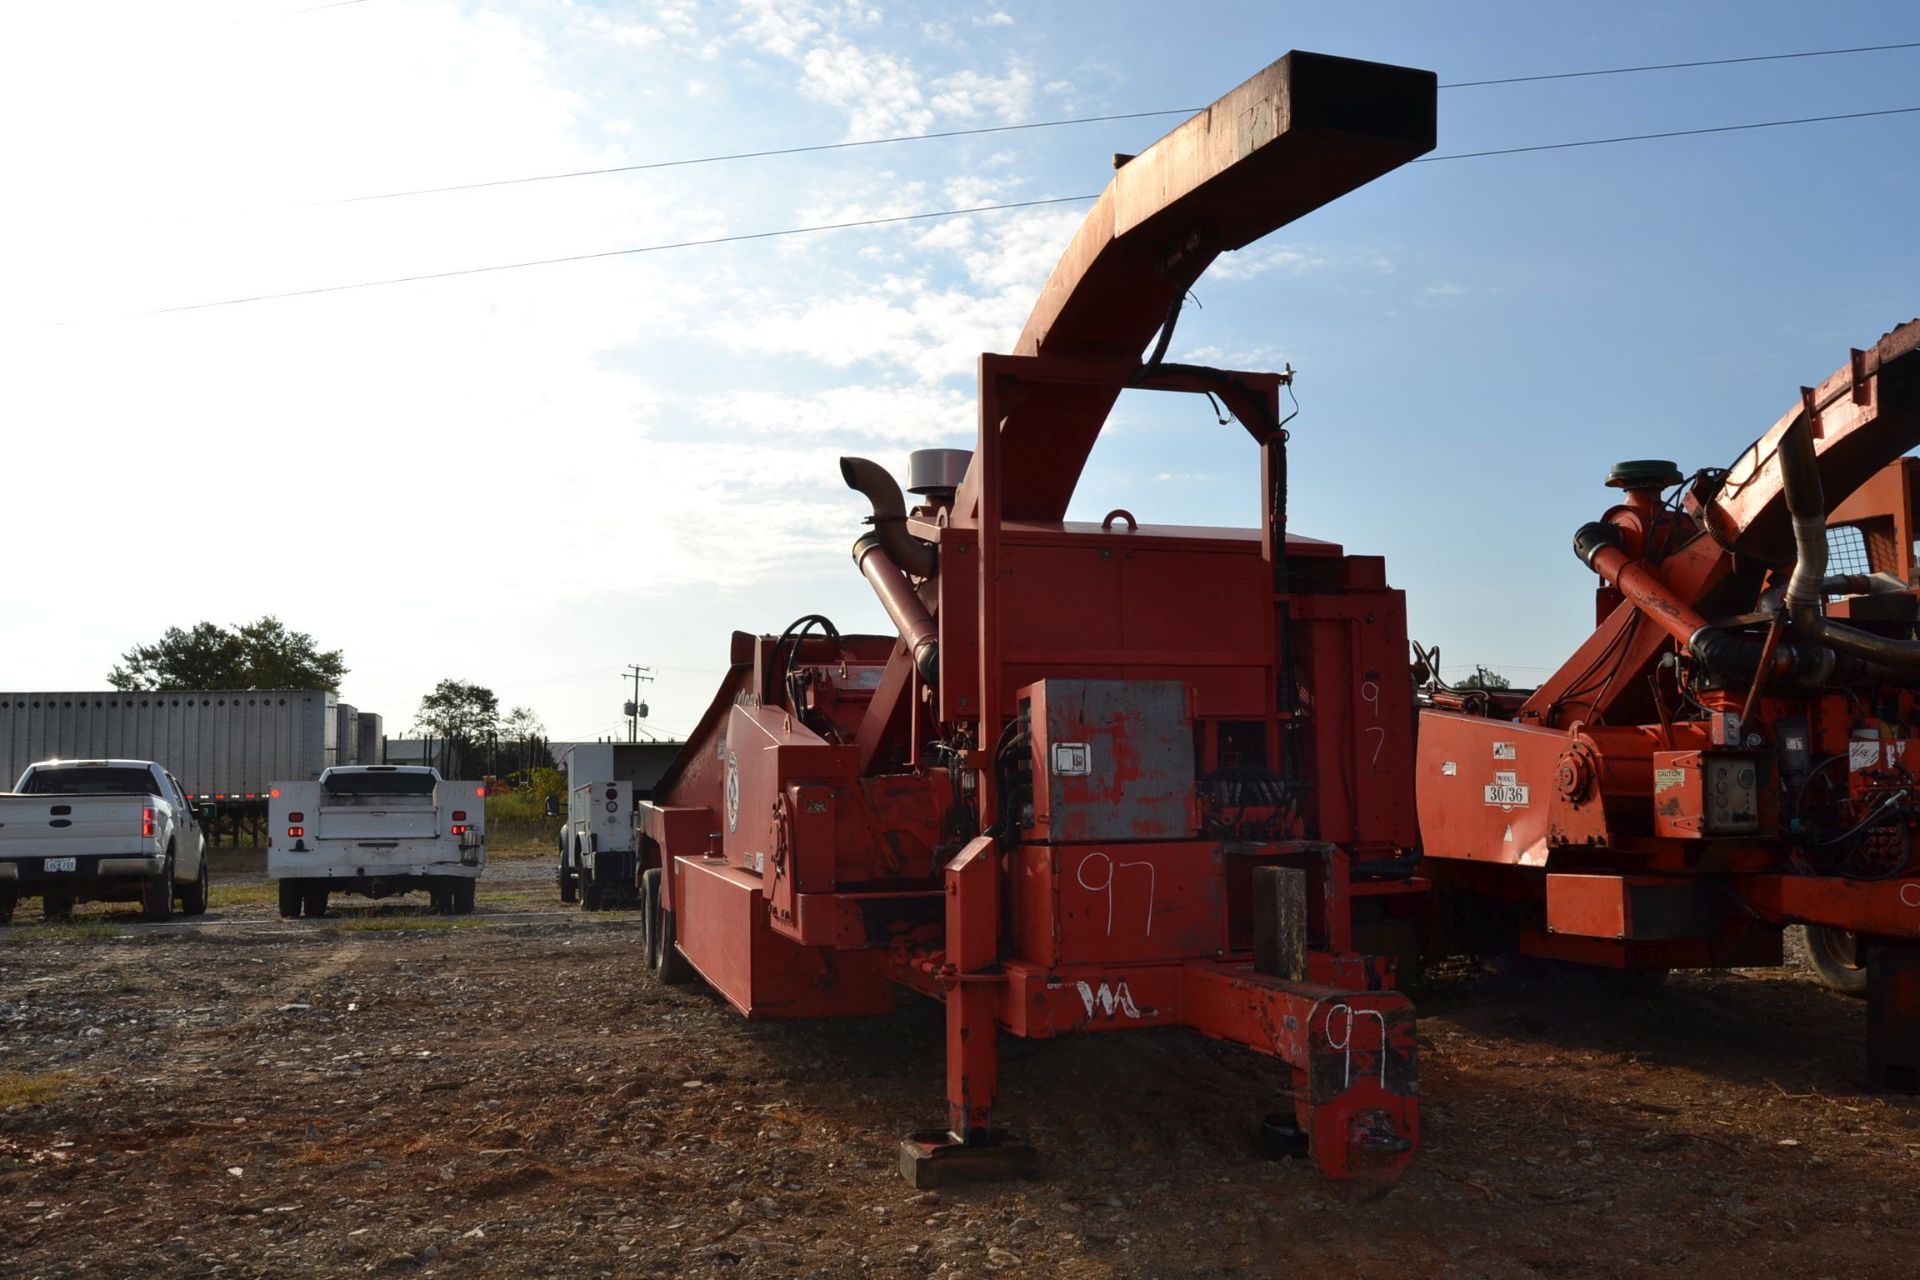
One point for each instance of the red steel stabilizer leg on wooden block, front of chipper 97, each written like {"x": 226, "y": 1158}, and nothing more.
{"x": 969, "y": 1149}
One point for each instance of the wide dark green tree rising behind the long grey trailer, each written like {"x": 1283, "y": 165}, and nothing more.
{"x": 254, "y": 655}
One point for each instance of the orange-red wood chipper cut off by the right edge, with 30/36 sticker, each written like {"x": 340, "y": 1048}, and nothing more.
{"x": 1739, "y": 744}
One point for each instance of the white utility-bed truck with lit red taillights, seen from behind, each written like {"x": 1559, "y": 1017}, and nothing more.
{"x": 377, "y": 830}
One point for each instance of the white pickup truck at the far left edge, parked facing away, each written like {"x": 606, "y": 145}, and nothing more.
{"x": 103, "y": 832}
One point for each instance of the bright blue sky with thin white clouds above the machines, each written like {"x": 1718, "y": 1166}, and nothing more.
{"x": 644, "y": 446}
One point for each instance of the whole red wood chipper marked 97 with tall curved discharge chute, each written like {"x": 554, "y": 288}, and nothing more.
{"x": 1105, "y": 776}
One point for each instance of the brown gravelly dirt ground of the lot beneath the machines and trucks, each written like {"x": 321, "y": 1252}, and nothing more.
{"x": 508, "y": 1095}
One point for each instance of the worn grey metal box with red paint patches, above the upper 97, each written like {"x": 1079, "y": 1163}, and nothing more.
{"x": 1113, "y": 759}
